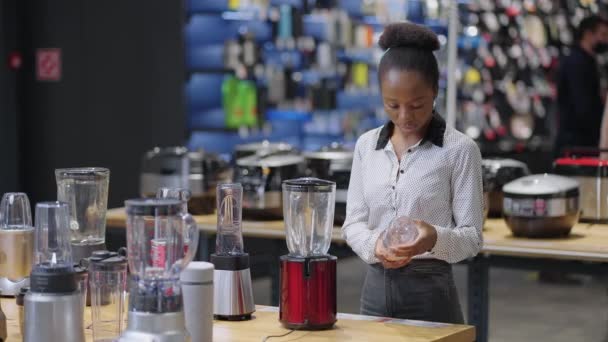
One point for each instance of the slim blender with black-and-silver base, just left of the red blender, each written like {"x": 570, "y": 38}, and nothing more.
{"x": 233, "y": 292}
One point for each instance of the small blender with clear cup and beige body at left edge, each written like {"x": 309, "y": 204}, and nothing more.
{"x": 16, "y": 242}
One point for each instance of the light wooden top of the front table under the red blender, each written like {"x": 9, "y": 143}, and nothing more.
{"x": 265, "y": 323}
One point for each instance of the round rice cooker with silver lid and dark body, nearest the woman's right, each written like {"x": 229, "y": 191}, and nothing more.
{"x": 542, "y": 205}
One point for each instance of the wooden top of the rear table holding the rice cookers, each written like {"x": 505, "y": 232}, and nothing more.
{"x": 588, "y": 242}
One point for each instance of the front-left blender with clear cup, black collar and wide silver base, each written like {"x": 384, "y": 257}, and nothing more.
{"x": 54, "y": 304}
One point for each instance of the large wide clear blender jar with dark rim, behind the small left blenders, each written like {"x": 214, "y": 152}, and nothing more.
{"x": 85, "y": 190}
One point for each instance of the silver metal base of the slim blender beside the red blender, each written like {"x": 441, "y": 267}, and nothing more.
{"x": 233, "y": 295}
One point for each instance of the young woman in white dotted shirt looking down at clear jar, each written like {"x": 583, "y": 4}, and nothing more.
{"x": 418, "y": 167}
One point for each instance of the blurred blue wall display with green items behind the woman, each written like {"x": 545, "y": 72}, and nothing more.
{"x": 312, "y": 62}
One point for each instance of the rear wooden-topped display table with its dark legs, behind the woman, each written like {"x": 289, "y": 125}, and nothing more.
{"x": 584, "y": 251}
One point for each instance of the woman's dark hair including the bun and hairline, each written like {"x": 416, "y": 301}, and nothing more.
{"x": 409, "y": 47}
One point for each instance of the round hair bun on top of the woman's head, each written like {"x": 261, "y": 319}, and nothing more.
{"x": 408, "y": 35}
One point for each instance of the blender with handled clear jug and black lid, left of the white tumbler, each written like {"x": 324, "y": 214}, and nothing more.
{"x": 161, "y": 241}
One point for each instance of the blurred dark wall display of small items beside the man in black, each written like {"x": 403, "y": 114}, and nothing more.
{"x": 509, "y": 53}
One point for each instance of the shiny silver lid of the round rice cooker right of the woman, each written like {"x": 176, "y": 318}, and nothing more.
{"x": 540, "y": 184}
